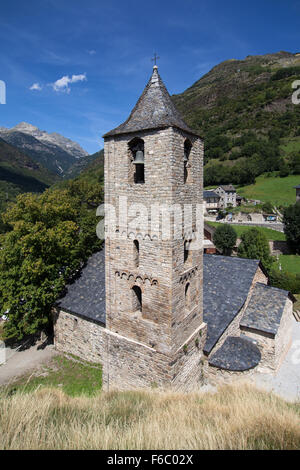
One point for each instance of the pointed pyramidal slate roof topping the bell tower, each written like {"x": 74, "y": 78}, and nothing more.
{"x": 153, "y": 110}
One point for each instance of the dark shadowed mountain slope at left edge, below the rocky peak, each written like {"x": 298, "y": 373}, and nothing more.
{"x": 19, "y": 173}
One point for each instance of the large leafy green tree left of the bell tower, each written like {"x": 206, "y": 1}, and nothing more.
{"x": 50, "y": 237}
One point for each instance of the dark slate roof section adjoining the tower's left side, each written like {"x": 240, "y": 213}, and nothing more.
{"x": 86, "y": 295}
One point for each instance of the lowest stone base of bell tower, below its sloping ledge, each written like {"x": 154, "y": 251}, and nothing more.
{"x": 134, "y": 365}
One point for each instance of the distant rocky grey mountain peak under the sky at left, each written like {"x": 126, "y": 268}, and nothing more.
{"x": 53, "y": 151}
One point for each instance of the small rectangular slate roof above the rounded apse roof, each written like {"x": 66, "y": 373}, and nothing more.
{"x": 265, "y": 309}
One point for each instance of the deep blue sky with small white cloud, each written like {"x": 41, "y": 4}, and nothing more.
{"x": 88, "y": 62}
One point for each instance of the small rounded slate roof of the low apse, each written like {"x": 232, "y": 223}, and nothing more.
{"x": 236, "y": 354}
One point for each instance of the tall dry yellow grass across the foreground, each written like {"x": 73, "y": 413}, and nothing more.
{"x": 236, "y": 417}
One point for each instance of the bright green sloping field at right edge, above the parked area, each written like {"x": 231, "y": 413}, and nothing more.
{"x": 278, "y": 191}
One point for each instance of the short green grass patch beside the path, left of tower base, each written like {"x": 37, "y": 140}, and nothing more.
{"x": 71, "y": 374}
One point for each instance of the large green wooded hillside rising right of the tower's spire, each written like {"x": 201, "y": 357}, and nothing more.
{"x": 243, "y": 109}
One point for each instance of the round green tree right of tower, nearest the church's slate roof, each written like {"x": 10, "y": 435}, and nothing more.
{"x": 254, "y": 245}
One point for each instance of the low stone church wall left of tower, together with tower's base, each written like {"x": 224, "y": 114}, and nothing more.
{"x": 129, "y": 364}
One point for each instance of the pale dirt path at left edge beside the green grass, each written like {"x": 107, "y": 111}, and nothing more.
{"x": 25, "y": 361}
